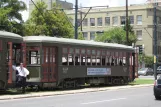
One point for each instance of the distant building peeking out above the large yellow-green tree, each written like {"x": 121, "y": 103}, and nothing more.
{"x": 63, "y": 4}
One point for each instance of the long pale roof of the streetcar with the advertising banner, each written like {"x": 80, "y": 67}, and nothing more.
{"x": 48, "y": 39}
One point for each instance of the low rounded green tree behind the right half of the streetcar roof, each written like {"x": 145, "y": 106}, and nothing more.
{"x": 116, "y": 35}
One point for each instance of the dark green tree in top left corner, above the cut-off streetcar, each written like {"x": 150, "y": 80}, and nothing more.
{"x": 11, "y": 18}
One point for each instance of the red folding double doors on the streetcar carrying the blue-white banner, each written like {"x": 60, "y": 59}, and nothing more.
{"x": 48, "y": 64}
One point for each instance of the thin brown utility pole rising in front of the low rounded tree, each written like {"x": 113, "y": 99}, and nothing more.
{"x": 127, "y": 27}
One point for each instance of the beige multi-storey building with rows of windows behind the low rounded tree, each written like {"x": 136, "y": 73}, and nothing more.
{"x": 141, "y": 18}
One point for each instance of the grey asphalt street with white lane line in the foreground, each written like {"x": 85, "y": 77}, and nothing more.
{"x": 132, "y": 97}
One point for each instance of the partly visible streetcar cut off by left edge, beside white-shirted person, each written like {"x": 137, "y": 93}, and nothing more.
{"x": 11, "y": 53}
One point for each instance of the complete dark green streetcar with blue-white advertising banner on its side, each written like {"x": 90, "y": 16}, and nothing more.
{"x": 68, "y": 63}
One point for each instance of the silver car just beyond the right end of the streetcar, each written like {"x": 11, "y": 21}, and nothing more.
{"x": 146, "y": 71}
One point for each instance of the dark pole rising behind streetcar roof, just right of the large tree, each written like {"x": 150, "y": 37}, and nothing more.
{"x": 76, "y": 19}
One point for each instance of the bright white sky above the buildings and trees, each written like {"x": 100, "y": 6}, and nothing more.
{"x": 87, "y": 3}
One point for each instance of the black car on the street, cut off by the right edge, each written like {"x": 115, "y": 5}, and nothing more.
{"x": 157, "y": 89}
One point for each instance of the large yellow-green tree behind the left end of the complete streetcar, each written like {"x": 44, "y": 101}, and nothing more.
{"x": 53, "y": 23}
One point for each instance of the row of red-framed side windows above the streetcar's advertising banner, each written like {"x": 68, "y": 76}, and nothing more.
{"x": 93, "y": 57}
